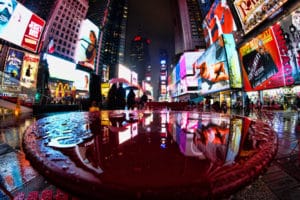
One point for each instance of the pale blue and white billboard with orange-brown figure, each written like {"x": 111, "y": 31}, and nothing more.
{"x": 212, "y": 69}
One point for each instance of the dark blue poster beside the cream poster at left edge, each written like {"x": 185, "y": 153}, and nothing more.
{"x": 13, "y": 67}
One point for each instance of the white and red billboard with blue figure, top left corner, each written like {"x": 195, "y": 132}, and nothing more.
{"x": 20, "y": 26}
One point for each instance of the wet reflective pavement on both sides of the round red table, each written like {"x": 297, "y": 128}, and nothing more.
{"x": 281, "y": 180}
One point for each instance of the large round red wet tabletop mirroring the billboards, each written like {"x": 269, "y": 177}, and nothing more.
{"x": 142, "y": 152}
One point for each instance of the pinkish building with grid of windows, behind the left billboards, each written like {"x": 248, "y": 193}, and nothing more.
{"x": 63, "y": 25}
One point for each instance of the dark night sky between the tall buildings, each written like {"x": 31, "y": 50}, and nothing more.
{"x": 154, "y": 16}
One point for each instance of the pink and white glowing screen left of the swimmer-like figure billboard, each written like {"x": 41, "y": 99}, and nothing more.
{"x": 186, "y": 63}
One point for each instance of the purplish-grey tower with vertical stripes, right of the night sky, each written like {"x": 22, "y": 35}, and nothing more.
{"x": 188, "y": 26}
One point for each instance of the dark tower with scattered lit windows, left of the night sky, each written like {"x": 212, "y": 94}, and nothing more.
{"x": 113, "y": 38}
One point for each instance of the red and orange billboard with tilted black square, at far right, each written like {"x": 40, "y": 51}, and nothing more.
{"x": 269, "y": 60}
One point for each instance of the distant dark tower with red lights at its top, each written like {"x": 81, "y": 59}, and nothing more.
{"x": 139, "y": 55}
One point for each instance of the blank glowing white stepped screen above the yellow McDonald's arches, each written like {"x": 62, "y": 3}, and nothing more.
{"x": 65, "y": 70}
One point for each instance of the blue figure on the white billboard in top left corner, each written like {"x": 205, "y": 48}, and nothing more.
{"x": 7, "y": 8}
